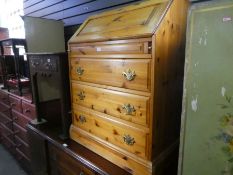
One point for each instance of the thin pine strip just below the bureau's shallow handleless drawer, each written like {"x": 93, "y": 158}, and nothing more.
{"x": 107, "y": 56}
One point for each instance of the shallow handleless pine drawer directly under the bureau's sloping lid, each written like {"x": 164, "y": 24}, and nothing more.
{"x": 118, "y": 48}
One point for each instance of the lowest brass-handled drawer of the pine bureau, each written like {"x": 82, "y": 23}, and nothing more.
{"x": 125, "y": 137}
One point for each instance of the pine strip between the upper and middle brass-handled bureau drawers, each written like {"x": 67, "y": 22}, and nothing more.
{"x": 135, "y": 92}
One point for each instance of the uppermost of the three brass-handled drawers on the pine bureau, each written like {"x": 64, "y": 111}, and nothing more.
{"x": 129, "y": 74}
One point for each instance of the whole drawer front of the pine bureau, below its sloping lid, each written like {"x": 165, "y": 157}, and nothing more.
{"x": 111, "y": 99}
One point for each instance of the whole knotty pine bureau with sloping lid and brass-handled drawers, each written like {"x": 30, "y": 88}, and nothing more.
{"x": 126, "y": 69}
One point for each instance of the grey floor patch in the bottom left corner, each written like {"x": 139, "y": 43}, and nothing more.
{"x": 8, "y": 165}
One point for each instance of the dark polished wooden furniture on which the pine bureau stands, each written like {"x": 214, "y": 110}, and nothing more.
{"x": 53, "y": 156}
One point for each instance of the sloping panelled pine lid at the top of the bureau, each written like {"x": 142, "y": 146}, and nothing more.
{"x": 138, "y": 20}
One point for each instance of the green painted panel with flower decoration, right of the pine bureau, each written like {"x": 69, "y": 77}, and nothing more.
{"x": 207, "y": 119}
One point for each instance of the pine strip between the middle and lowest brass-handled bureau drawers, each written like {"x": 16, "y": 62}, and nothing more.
{"x": 117, "y": 121}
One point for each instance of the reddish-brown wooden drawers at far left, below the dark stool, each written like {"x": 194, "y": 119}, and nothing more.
{"x": 15, "y": 113}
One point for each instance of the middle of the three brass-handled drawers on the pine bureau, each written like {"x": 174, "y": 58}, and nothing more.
{"x": 129, "y": 107}
